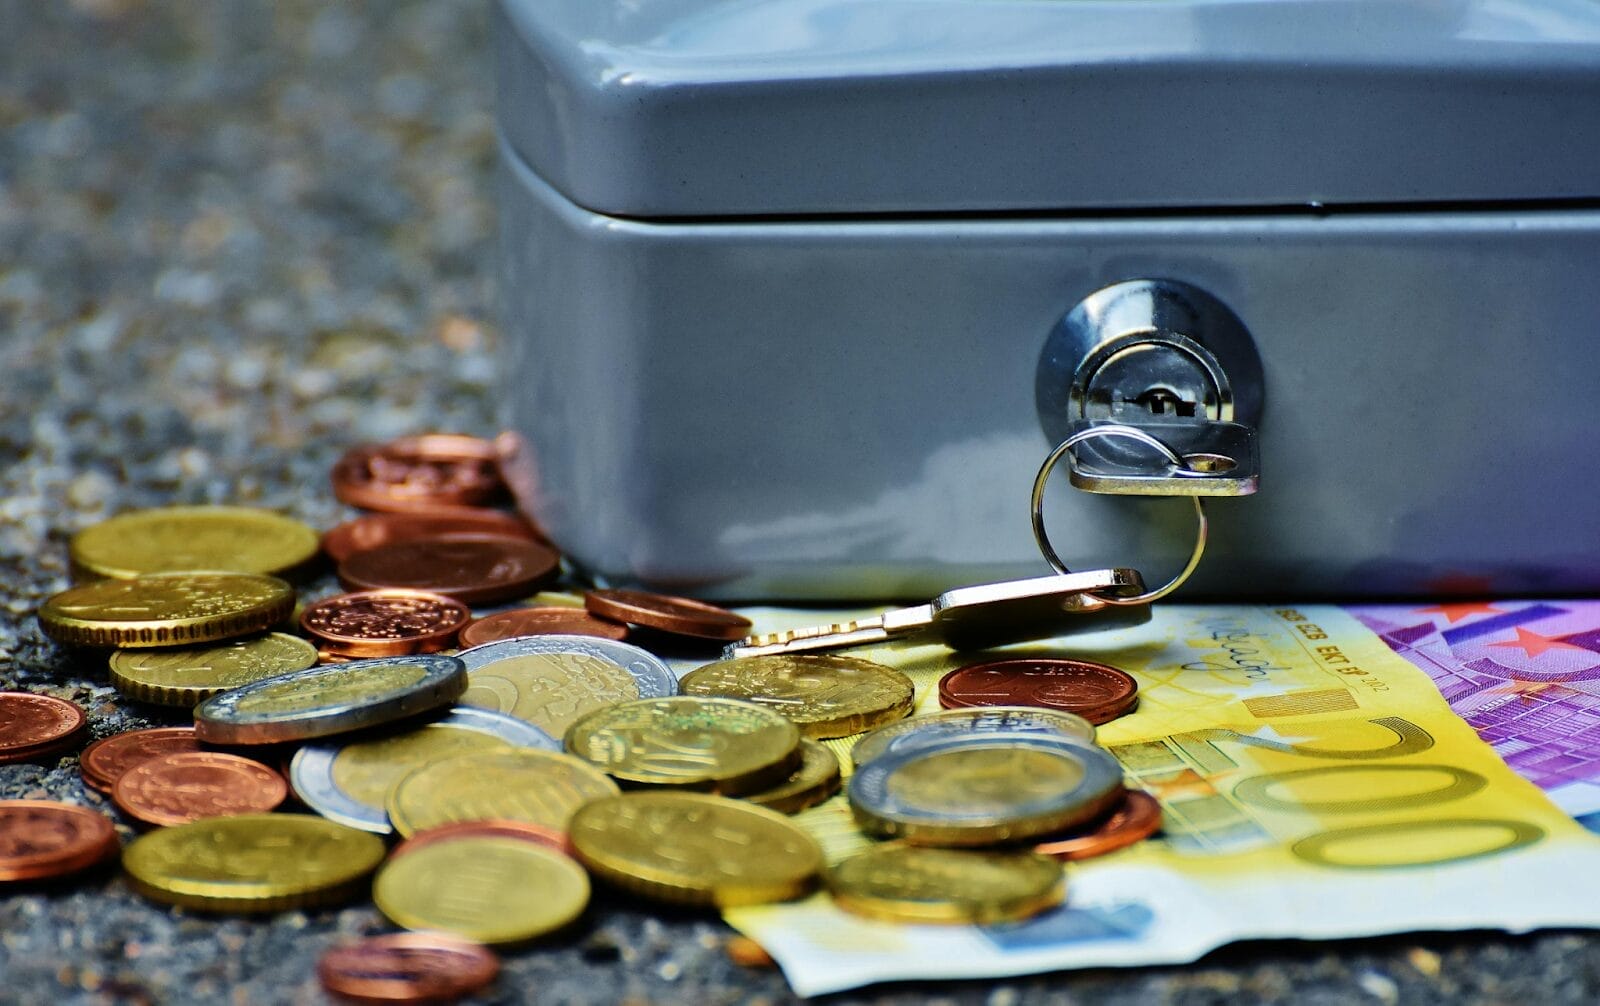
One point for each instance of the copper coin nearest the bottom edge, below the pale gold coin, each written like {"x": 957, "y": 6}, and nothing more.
{"x": 407, "y": 968}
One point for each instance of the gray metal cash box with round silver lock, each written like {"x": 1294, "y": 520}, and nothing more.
{"x": 801, "y": 293}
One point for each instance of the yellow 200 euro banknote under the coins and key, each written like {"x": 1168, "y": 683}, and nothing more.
{"x": 1314, "y": 784}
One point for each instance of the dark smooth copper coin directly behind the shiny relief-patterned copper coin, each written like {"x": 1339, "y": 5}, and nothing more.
{"x": 473, "y": 569}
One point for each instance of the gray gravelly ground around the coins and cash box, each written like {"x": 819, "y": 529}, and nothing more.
{"x": 239, "y": 238}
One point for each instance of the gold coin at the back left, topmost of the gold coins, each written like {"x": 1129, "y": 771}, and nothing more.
{"x": 172, "y": 540}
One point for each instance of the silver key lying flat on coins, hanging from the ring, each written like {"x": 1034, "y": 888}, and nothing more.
{"x": 974, "y": 618}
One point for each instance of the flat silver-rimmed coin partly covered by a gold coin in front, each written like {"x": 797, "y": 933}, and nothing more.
{"x": 350, "y": 783}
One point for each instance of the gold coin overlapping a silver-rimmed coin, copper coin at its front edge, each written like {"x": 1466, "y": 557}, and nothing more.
{"x": 514, "y": 784}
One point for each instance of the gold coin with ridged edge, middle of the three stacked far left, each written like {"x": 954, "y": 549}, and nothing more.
{"x": 167, "y": 610}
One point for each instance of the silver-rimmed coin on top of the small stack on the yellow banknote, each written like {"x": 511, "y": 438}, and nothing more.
{"x": 982, "y": 791}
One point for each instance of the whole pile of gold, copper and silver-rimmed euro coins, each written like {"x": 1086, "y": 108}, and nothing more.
{"x": 527, "y": 753}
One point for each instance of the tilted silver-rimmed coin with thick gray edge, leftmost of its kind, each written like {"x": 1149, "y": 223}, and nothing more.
{"x": 332, "y": 700}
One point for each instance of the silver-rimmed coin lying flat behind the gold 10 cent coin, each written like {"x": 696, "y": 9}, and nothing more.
{"x": 553, "y": 681}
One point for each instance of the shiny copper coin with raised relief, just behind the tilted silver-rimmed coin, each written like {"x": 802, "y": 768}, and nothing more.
{"x": 385, "y": 623}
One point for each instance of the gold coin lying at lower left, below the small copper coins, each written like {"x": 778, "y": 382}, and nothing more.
{"x": 254, "y": 863}
